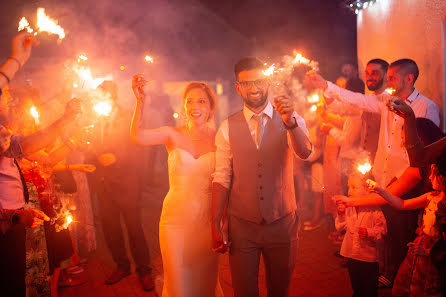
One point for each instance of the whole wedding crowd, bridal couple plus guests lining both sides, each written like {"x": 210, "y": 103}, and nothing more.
{"x": 238, "y": 182}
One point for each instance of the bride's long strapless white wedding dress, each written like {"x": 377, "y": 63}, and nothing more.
{"x": 190, "y": 265}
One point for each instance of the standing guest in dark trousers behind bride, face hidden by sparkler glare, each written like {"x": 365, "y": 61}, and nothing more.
{"x": 117, "y": 183}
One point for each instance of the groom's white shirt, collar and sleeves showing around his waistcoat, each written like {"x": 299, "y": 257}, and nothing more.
{"x": 223, "y": 156}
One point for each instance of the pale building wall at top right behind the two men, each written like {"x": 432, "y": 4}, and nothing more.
{"x": 395, "y": 29}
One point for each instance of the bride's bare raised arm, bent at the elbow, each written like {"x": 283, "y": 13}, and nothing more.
{"x": 138, "y": 134}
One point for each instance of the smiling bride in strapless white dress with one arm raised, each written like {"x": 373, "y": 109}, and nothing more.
{"x": 190, "y": 265}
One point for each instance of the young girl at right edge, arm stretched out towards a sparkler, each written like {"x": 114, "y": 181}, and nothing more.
{"x": 417, "y": 276}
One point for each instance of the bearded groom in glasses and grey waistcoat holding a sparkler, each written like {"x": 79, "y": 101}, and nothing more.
{"x": 253, "y": 187}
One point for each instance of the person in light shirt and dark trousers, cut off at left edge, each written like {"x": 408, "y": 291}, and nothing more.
{"x": 14, "y": 194}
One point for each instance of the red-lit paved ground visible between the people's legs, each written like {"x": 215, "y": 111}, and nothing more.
{"x": 318, "y": 272}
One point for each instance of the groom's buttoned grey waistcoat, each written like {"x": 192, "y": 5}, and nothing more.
{"x": 262, "y": 180}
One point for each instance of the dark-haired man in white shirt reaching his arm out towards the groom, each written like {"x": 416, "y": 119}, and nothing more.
{"x": 390, "y": 159}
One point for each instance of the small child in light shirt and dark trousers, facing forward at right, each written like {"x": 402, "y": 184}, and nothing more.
{"x": 364, "y": 227}
